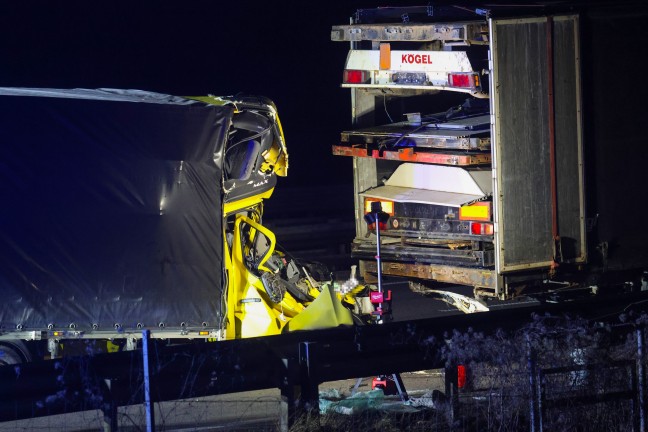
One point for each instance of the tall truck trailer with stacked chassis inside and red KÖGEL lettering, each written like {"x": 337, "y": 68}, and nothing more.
{"x": 505, "y": 146}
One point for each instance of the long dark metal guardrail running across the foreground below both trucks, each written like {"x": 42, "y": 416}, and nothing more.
{"x": 296, "y": 363}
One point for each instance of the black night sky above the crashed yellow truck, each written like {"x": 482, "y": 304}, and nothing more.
{"x": 281, "y": 50}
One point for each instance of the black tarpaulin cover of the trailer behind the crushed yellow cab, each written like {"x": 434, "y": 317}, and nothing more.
{"x": 111, "y": 209}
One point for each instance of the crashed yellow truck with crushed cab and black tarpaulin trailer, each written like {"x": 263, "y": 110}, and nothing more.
{"x": 129, "y": 211}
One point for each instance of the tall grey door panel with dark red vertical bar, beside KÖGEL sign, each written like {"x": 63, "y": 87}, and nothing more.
{"x": 537, "y": 142}
